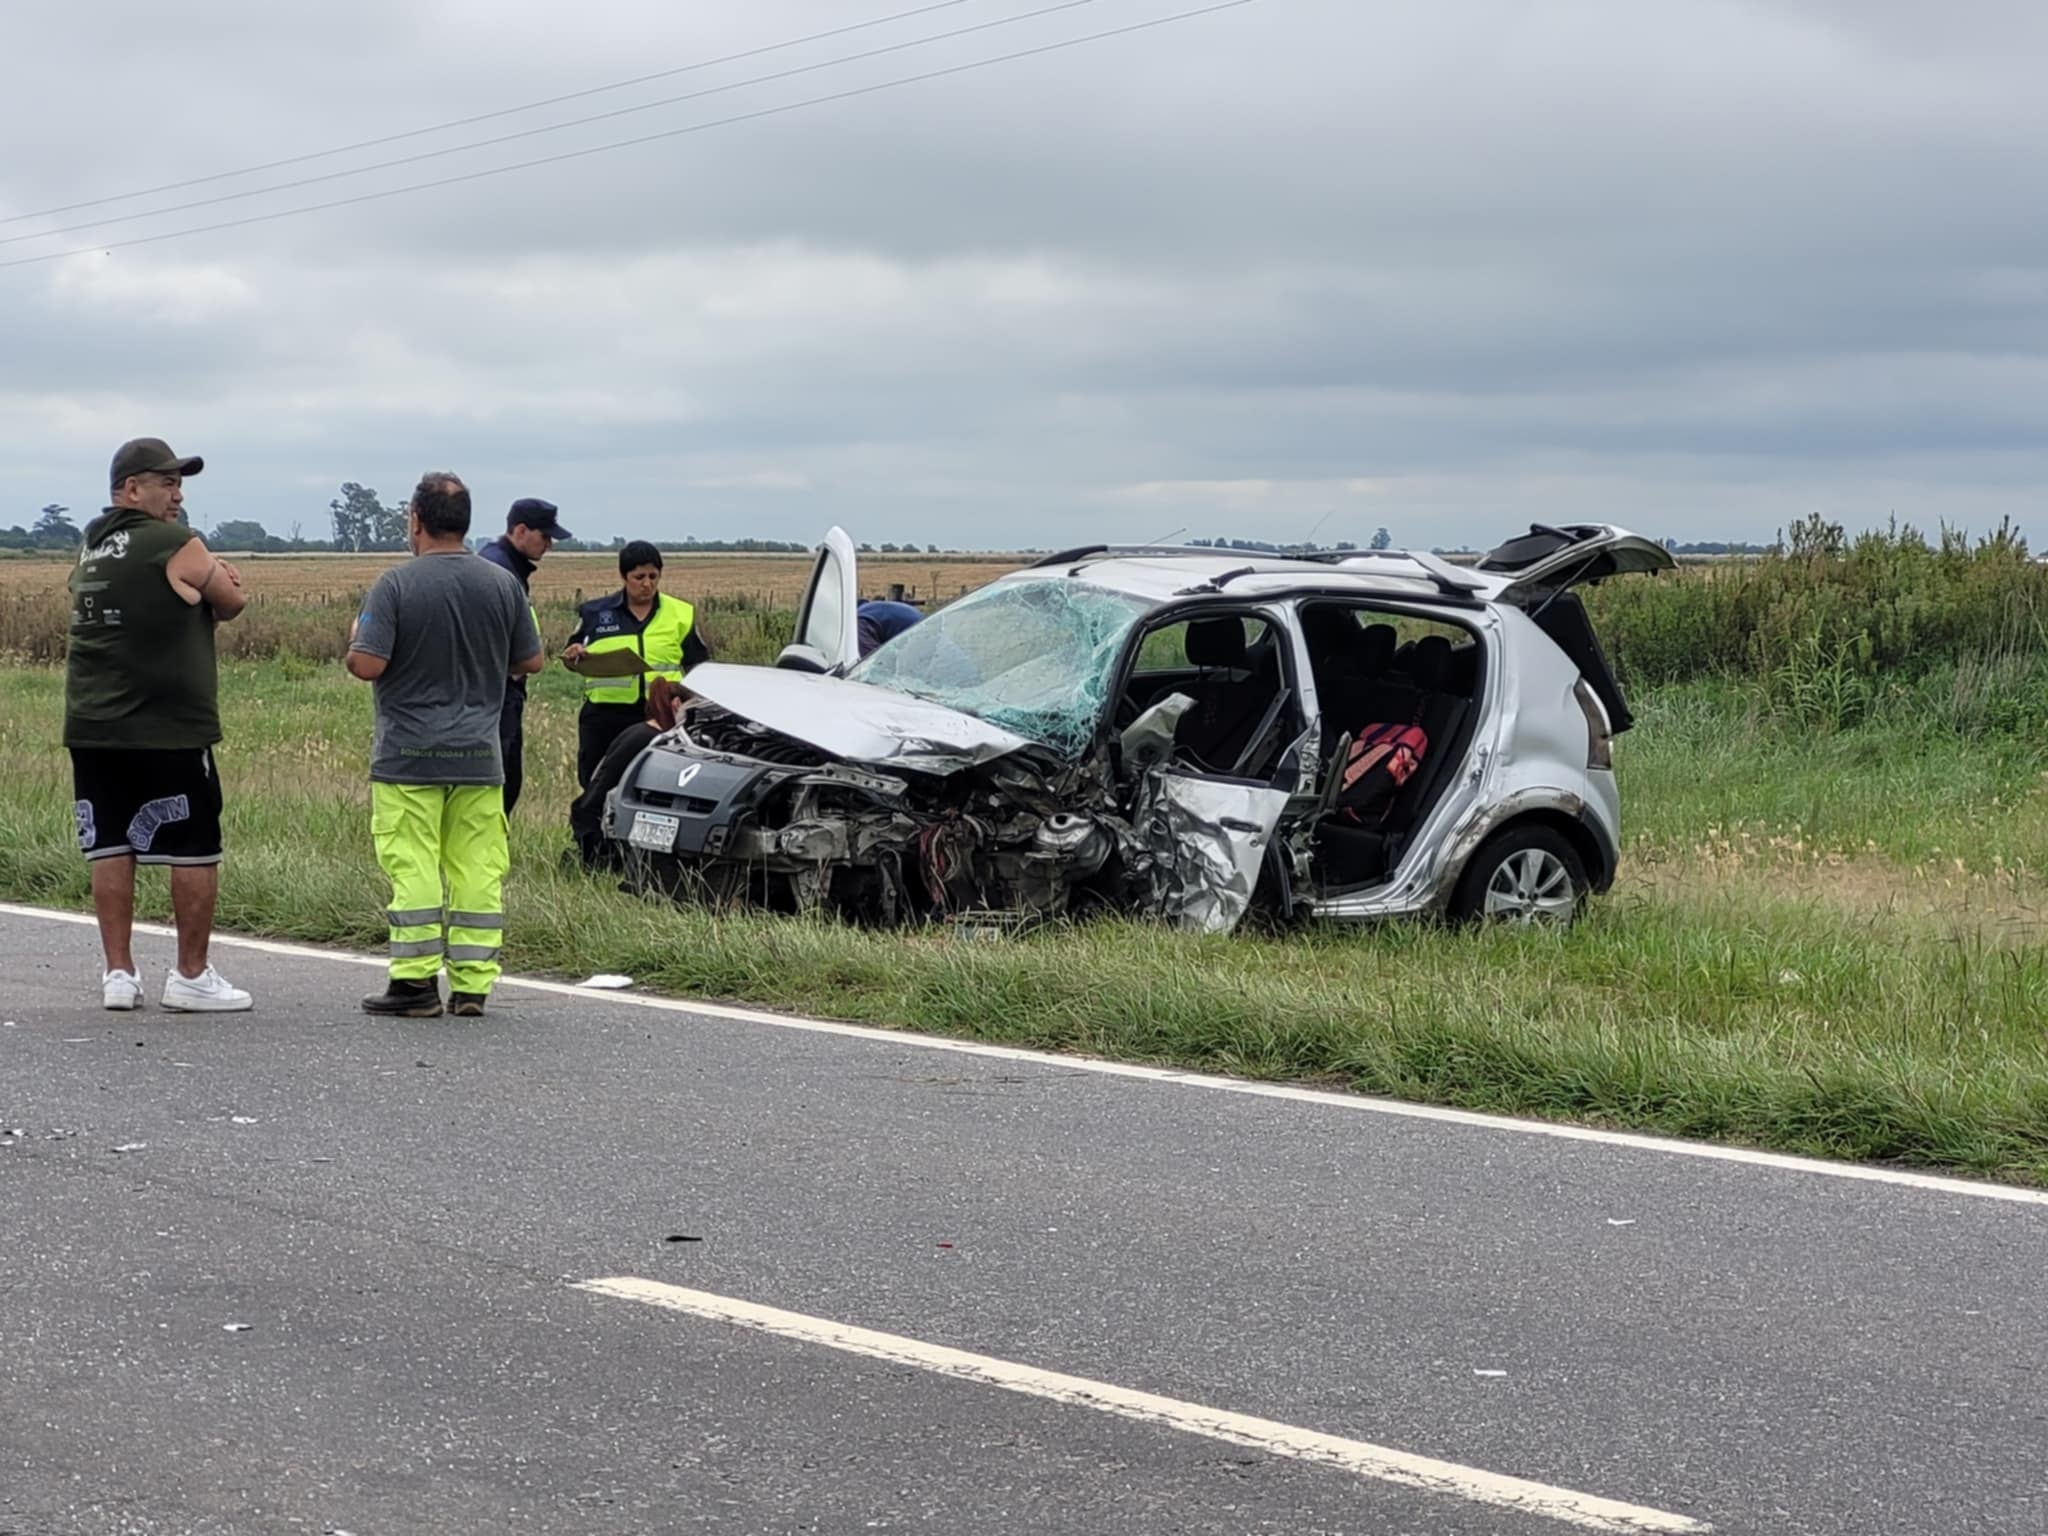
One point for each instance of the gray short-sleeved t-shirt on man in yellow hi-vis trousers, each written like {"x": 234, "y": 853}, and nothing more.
{"x": 452, "y": 630}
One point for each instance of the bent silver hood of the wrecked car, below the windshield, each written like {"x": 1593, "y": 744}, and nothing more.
{"x": 855, "y": 720}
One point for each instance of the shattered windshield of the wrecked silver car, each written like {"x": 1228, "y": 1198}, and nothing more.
{"x": 1035, "y": 658}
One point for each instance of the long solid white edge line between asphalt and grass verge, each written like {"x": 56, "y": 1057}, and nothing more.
{"x": 1359, "y": 1103}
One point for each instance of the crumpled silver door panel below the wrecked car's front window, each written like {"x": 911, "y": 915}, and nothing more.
{"x": 1207, "y": 843}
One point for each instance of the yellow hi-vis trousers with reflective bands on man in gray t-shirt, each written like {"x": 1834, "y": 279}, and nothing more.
{"x": 443, "y": 849}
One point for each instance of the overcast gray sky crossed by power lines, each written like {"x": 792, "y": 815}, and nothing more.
{"x": 1697, "y": 267}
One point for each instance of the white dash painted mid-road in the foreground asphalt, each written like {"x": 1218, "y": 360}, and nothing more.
{"x": 1269, "y": 1437}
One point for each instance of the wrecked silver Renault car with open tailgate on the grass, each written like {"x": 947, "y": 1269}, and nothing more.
{"x": 1164, "y": 732}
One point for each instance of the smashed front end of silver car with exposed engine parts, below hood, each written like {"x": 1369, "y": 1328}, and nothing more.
{"x": 761, "y": 818}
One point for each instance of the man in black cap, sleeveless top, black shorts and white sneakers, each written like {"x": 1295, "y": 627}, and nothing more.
{"x": 142, "y": 718}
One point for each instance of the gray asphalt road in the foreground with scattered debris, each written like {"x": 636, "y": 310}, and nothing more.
{"x": 335, "y": 1287}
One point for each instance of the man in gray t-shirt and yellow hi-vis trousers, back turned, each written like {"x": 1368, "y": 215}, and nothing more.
{"x": 437, "y": 640}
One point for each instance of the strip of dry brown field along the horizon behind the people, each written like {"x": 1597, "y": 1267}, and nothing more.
{"x": 773, "y": 581}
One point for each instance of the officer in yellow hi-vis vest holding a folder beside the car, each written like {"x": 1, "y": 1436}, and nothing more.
{"x": 648, "y": 624}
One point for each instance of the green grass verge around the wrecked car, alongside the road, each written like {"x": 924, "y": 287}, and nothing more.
{"x": 1791, "y": 962}
